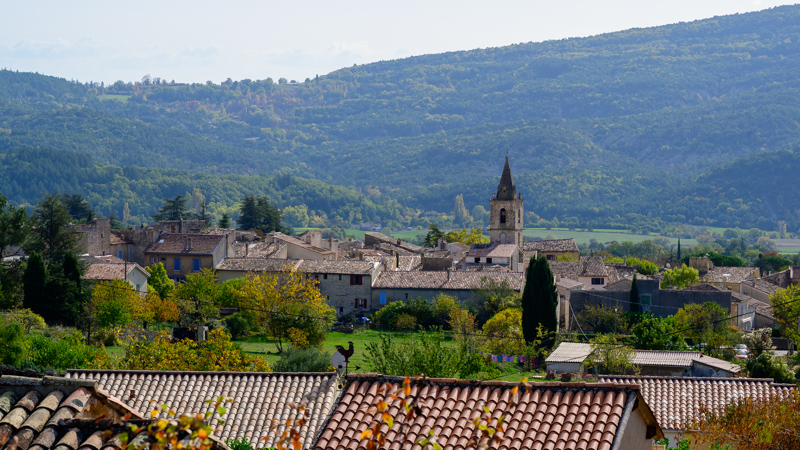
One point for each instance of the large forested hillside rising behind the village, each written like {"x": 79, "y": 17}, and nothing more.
{"x": 680, "y": 123}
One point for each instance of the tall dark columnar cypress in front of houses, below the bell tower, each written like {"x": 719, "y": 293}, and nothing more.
{"x": 539, "y": 299}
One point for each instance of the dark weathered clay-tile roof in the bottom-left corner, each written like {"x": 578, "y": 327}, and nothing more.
{"x": 62, "y": 413}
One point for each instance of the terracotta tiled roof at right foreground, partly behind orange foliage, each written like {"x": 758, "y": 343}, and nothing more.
{"x": 676, "y": 401}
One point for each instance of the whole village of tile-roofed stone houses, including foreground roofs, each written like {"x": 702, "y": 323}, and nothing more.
{"x": 588, "y": 394}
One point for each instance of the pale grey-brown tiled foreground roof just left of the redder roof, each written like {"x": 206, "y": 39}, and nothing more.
{"x": 262, "y": 402}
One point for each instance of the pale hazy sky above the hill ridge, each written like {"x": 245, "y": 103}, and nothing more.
{"x": 198, "y": 40}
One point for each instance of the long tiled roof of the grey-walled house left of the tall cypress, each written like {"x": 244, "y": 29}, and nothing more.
{"x": 444, "y": 280}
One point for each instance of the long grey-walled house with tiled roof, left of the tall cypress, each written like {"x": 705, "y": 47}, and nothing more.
{"x": 402, "y": 286}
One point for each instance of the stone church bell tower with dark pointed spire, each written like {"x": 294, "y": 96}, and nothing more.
{"x": 505, "y": 219}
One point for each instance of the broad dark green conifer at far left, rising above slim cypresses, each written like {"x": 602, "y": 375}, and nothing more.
{"x": 52, "y": 236}
